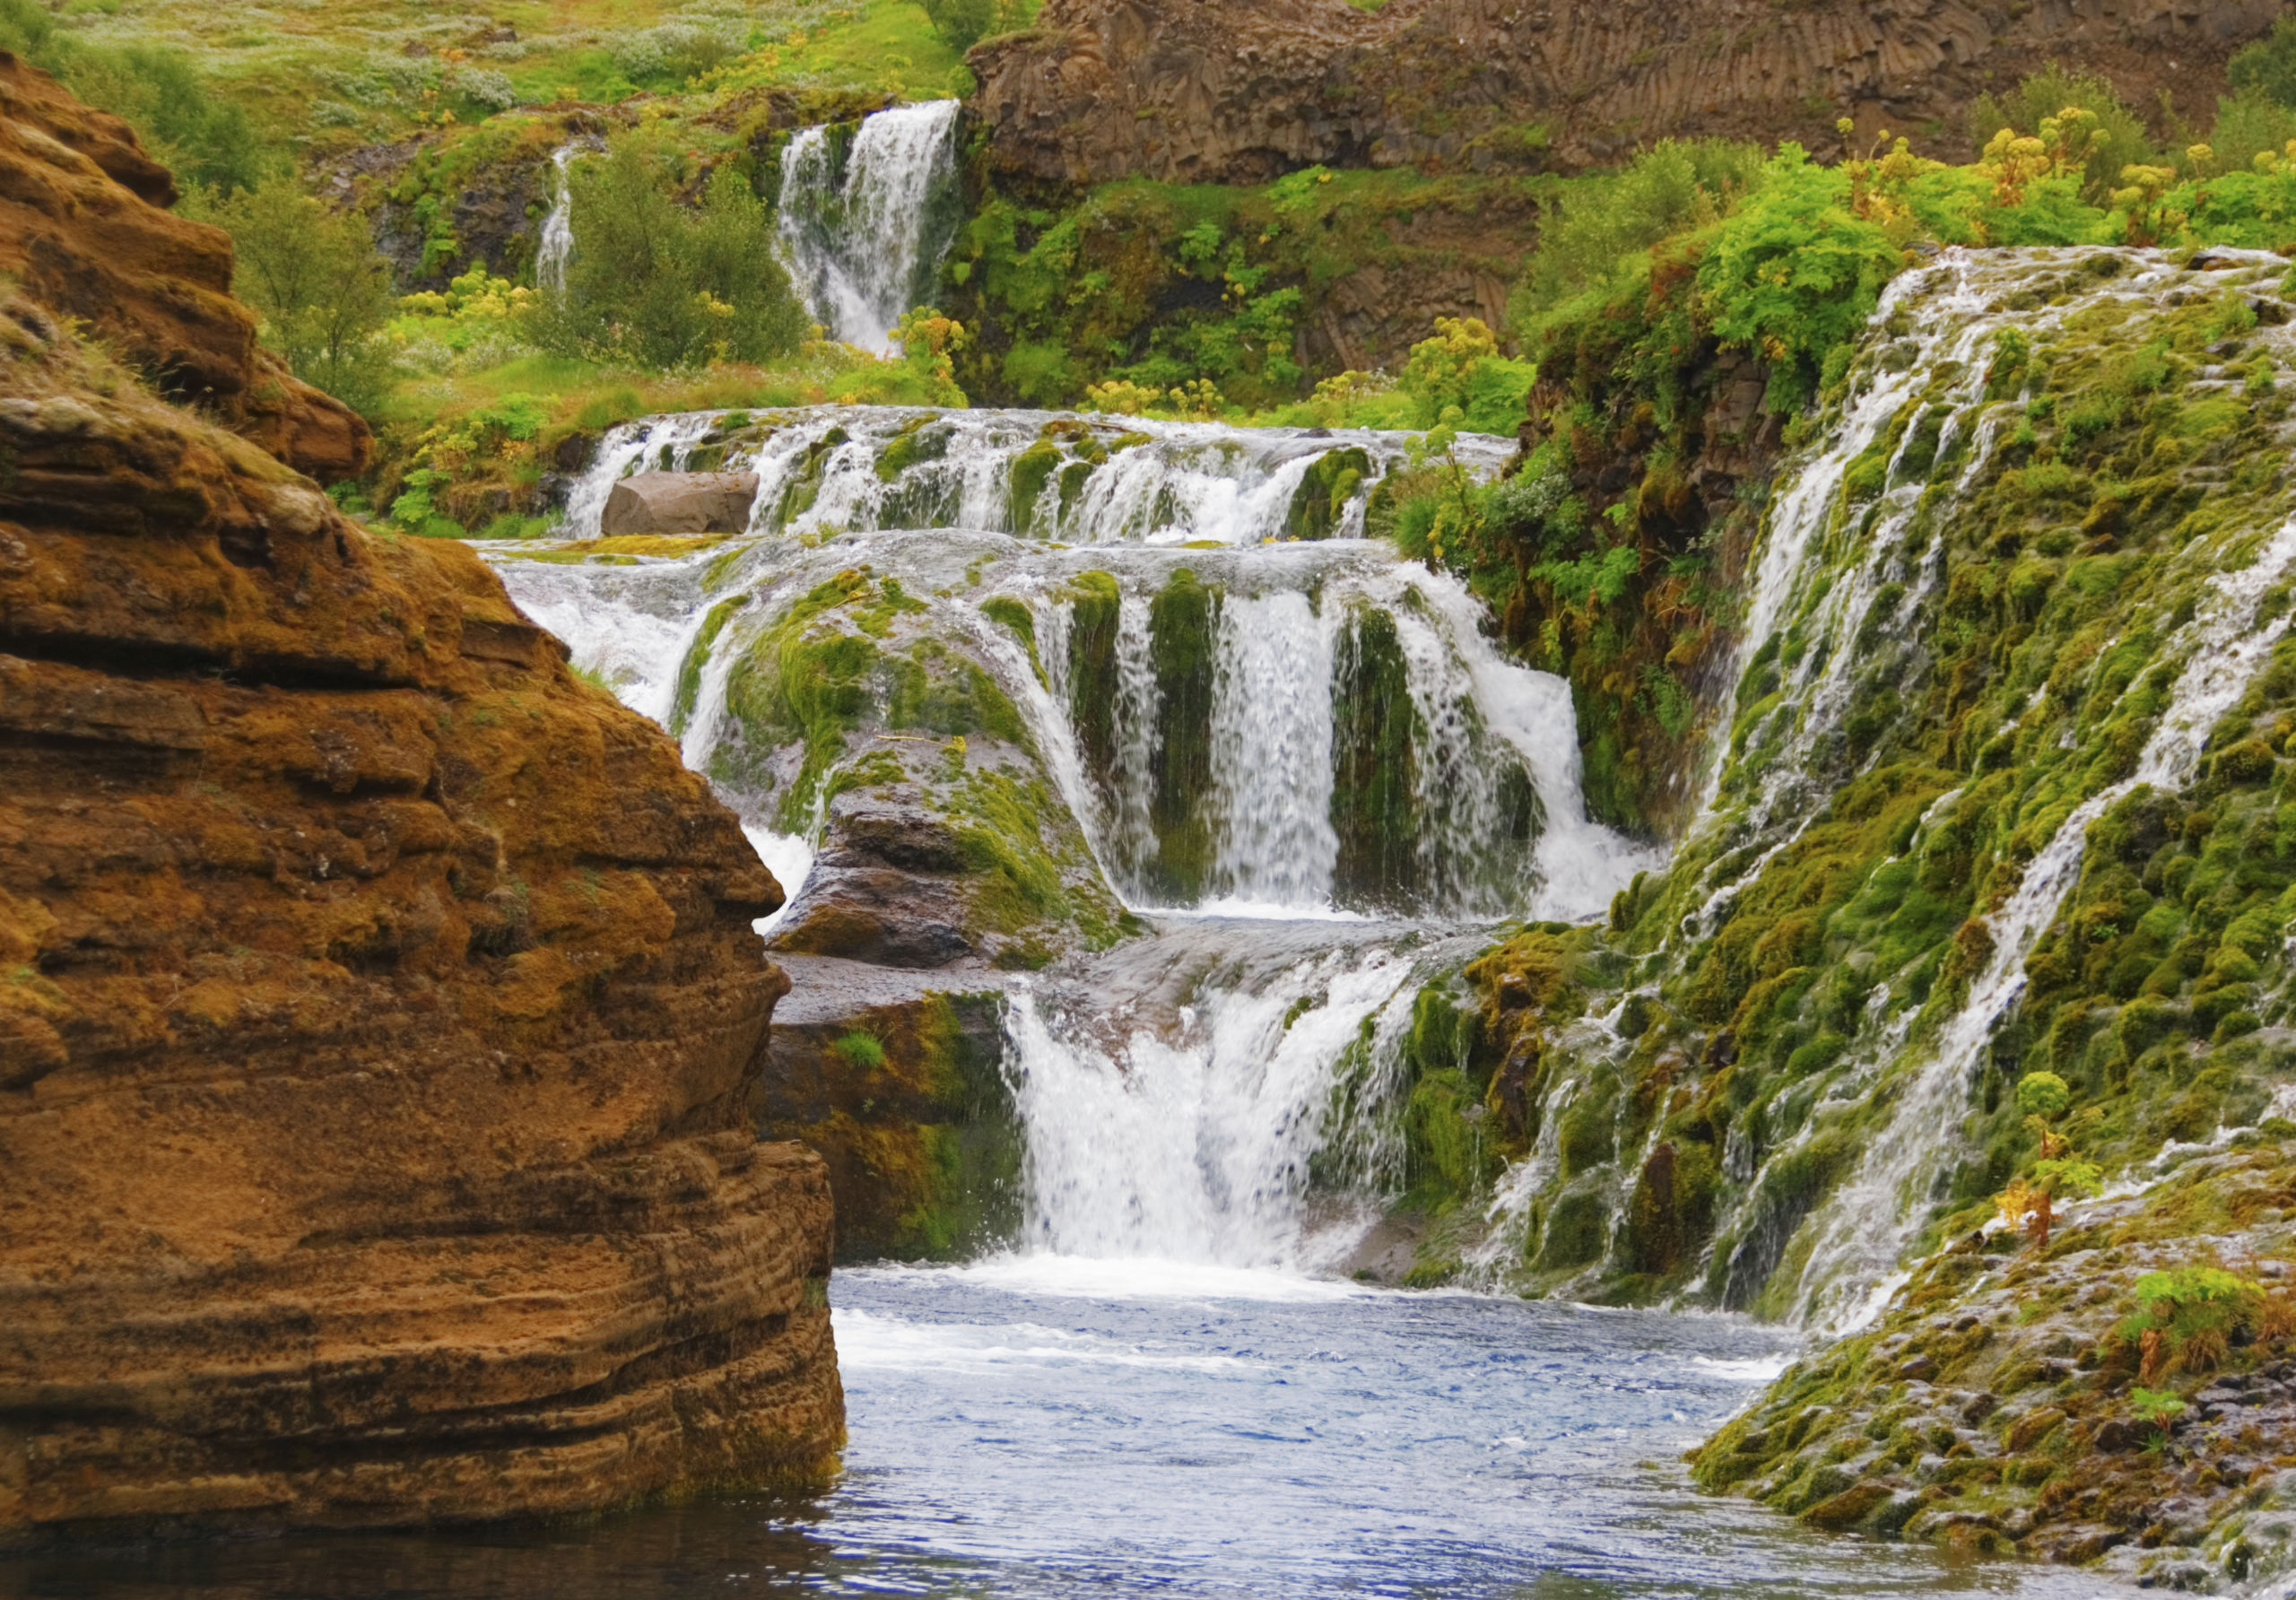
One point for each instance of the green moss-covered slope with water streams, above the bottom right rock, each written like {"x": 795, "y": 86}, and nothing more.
{"x": 2012, "y": 605}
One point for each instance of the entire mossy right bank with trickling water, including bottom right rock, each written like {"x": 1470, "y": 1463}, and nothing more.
{"x": 2003, "y": 800}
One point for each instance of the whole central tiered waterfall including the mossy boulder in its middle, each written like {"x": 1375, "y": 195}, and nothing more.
{"x": 1053, "y": 690}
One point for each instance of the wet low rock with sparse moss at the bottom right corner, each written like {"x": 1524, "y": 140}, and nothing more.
{"x": 2003, "y": 1399}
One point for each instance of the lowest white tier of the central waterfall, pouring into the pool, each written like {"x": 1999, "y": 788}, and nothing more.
{"x": 1195, "y": 1126}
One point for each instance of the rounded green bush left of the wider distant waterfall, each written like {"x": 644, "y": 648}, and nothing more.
{"x": 660, "y": 284}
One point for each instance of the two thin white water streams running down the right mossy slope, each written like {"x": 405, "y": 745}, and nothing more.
{"x": 1854, "y": 568}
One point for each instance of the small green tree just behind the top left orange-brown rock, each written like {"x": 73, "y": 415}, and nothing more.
{"x": 318, "y": 284}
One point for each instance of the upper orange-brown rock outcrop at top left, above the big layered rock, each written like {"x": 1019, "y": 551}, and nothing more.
{"x": 86, "y": 233}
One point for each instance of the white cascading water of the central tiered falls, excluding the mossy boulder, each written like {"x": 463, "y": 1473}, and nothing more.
{"x": 1186, "y": 1096}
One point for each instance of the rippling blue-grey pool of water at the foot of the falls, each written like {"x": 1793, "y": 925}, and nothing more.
{"x": 1055, "y": 1427}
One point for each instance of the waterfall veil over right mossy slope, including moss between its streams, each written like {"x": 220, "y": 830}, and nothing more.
{"x": 1930, "y": 481}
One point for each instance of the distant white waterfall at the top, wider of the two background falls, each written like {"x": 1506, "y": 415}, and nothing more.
{"x": 867, "y": 219}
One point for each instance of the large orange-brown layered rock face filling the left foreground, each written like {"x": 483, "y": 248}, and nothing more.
{"x": 380, "y": 1009}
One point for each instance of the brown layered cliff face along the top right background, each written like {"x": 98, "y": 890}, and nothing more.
{"x": 1243, "y": 91}
